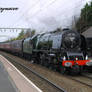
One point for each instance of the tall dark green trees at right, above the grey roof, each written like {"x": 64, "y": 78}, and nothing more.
{"x": 85, "y": 19}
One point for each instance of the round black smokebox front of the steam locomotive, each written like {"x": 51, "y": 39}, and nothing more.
{"x": 71, "y": 40}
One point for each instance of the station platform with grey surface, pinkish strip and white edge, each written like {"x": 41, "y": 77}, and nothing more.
{"x": 12, "y": 80}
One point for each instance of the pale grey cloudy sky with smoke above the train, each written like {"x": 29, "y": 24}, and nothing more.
{"x": 42, "y": 15}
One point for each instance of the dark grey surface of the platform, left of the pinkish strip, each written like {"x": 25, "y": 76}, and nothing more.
{"x": 6, "y": 83}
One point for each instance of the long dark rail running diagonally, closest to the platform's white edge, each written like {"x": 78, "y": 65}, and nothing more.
{"x": 59, "y": 89}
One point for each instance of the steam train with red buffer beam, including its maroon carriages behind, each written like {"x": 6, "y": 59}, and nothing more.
{"x": 64, "y": 51}
